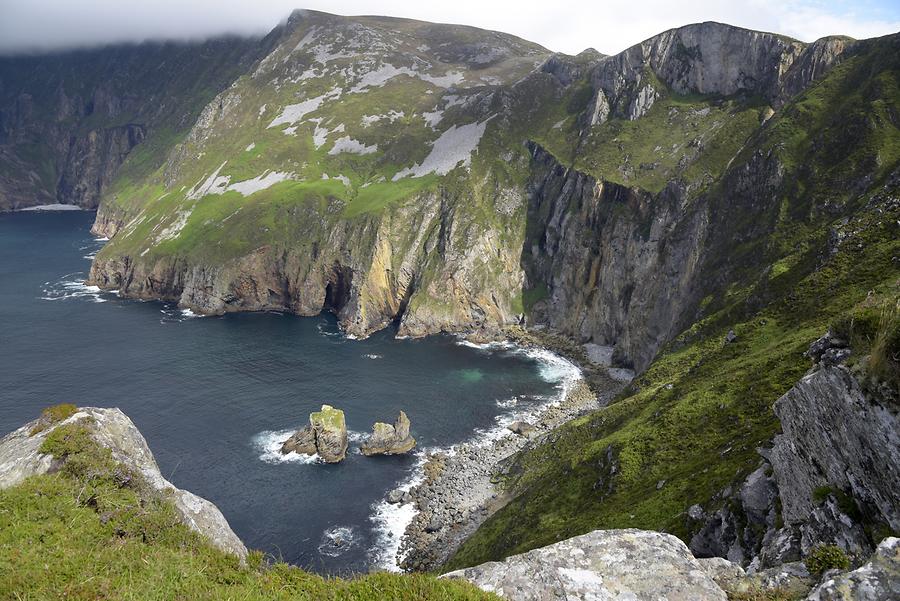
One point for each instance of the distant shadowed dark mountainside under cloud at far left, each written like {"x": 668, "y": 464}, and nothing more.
{"x": 69, "y": 120}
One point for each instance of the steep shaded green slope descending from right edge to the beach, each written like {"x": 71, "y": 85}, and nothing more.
{"x": 804, "y": 234}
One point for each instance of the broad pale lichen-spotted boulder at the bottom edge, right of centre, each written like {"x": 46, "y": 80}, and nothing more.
{"x": 605, "y": 564}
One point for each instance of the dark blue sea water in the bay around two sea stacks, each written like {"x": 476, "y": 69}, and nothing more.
{"x": 213, "y": 396}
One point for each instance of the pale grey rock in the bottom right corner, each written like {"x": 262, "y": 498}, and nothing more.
{"x": 877, "y": 580}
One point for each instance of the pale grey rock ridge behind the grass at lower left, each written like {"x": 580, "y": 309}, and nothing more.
{"x": 20, "y": 458}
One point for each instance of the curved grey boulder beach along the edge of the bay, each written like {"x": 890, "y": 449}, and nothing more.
{"x": 461, "y": 488}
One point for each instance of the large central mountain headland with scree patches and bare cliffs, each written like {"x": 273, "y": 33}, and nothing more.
{"x": 616, "y": 258}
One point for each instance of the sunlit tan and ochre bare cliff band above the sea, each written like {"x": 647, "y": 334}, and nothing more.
{"x": 425, "y": 264}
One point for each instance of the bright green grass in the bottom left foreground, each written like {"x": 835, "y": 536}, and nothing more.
{"x": 95, "y": 531}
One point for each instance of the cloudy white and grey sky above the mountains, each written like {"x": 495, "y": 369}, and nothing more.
{"x": 562, "y": 25}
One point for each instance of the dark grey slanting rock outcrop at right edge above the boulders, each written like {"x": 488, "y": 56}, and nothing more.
{"x": 836, "y": 440}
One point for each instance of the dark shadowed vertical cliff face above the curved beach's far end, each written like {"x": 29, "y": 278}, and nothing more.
{"x": 618, "y": 263}
